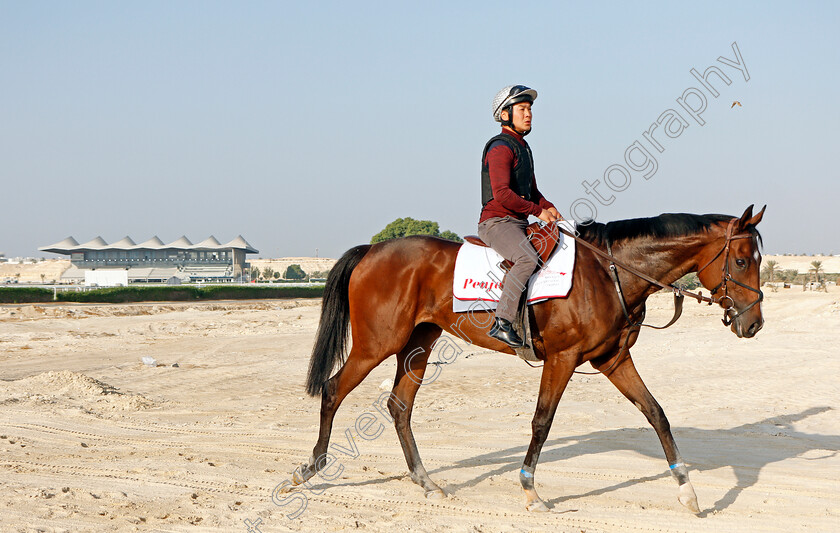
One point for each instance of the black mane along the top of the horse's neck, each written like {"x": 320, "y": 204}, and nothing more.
{"x": 665, "y": 225}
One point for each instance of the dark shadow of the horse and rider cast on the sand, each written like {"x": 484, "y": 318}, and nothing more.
{"x": 693, "y": 441}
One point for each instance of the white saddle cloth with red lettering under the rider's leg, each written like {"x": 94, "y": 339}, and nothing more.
{"x": 477, "y": 275}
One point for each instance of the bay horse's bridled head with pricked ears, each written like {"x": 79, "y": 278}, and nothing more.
{"x": 729, "y": 266}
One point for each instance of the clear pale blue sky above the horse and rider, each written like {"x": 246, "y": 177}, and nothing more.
{"x": 305, "y": 125}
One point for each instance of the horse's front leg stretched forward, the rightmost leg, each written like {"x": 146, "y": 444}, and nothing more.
{"x": 625, "y": 377}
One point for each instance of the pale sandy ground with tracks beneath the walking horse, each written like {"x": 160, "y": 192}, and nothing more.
{"x": 91, "y": 439}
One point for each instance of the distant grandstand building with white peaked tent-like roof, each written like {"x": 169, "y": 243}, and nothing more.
{"x": 154, "y": 261}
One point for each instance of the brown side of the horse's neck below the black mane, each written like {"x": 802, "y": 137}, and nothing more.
{"x": 665, "y": 260}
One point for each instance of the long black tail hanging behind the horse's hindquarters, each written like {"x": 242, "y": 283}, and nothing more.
{"x": 331, "y": 341}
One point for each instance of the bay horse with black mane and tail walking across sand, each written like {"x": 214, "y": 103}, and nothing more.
{"x": 396, "y": 297}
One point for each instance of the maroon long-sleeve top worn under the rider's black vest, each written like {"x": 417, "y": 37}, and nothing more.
{"x": 505, "y": 202}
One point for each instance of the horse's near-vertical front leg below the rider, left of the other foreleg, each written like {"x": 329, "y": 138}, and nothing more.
{"x": 556, "y": 374}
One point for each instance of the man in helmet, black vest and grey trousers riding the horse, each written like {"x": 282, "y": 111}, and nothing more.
{"x": 509, "y": 194}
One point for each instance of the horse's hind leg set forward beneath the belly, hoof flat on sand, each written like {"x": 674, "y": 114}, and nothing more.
{"x": 411, "y": 366}
